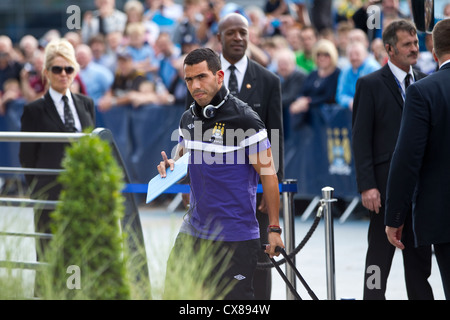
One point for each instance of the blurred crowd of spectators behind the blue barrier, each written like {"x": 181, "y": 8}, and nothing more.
{"x": 133, "y": 55}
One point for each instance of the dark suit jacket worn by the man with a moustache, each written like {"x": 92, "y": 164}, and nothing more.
{"x": 377, "y": 113}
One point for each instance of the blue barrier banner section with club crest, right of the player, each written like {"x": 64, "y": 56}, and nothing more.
{"x": 318, "y": 152}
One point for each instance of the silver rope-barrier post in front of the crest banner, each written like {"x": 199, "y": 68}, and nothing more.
{"x": 327, "y": 194}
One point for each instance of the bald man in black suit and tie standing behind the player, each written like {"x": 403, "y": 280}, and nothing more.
{"x": 261, "y": 90}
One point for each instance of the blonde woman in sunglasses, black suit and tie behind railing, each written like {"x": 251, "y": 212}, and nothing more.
{"x": 59, "y": 110}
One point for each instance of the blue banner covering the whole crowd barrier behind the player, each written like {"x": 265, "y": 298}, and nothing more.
{"x": 317, "y": 150}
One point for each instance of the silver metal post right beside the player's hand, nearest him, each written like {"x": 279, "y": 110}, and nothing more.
{"x": 289, "y": 233}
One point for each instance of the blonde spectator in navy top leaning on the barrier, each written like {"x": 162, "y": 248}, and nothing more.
{"x": 320, "y": 85}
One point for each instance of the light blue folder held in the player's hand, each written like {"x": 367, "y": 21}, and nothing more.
{"x": 158, "y": 185}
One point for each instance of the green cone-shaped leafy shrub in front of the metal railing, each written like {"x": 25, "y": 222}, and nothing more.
{"x": 86, "y": 227}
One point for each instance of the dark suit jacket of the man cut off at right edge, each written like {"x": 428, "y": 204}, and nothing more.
{"x": 420, "y": 168}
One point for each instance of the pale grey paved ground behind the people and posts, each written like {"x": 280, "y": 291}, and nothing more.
{"x": 161, "y": 227}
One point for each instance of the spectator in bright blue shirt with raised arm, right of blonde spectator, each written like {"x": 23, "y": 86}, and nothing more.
{"x": 361, "y": 64}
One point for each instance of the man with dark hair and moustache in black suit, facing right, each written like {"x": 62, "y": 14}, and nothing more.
{"x": 377, "y": 113}
